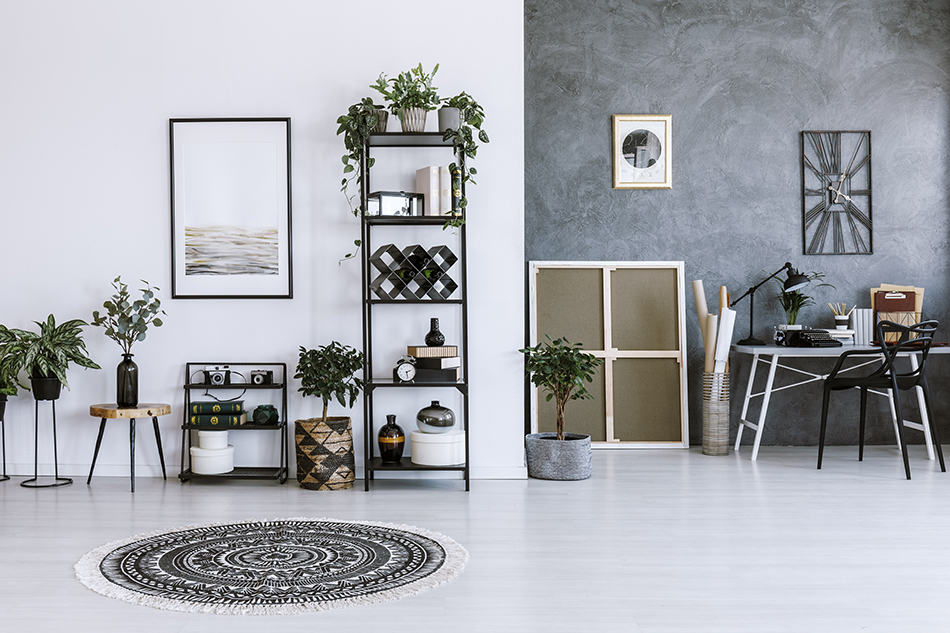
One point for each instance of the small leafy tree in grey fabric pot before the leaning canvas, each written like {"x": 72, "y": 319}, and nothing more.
{"x": 562, "y": 369}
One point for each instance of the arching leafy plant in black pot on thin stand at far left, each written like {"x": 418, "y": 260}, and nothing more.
{"x": 45, "y": 355}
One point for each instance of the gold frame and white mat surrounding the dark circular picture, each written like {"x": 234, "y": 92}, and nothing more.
{"x": 659, "y": 174}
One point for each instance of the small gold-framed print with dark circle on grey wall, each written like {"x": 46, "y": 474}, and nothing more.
{"x": 643, "y": 151}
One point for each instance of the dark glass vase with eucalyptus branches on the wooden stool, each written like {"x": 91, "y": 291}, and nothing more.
{"x": 125, "y": 322}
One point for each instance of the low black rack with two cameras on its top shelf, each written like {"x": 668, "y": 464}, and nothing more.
{"x": 278, "y": 473}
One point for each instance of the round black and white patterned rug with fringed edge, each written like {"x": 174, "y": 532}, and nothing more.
{"x": 272, "y": 567}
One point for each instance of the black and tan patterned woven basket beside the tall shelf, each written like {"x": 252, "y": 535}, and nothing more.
{"x": 324, "y": 453}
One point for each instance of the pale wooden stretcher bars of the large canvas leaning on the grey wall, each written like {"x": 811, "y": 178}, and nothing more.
{"x": 610, "y": 353}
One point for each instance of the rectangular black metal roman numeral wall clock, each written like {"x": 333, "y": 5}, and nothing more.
{"x": 836, "y": 192}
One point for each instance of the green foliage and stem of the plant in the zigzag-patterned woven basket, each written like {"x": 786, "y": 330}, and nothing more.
{"x": 328, "y": 372}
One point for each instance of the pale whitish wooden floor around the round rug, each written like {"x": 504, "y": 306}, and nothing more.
{"x": 655, "y": 542}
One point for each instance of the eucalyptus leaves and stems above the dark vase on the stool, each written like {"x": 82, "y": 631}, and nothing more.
{"x": 127, "y": 321}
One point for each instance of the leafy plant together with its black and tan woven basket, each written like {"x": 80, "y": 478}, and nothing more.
{"x": 325, "y": 445}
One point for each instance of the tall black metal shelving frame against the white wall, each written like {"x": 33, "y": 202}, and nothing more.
{"x": 373, "y": 462}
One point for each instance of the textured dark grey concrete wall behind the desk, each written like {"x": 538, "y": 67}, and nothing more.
{"x": 741, "y": 78}
